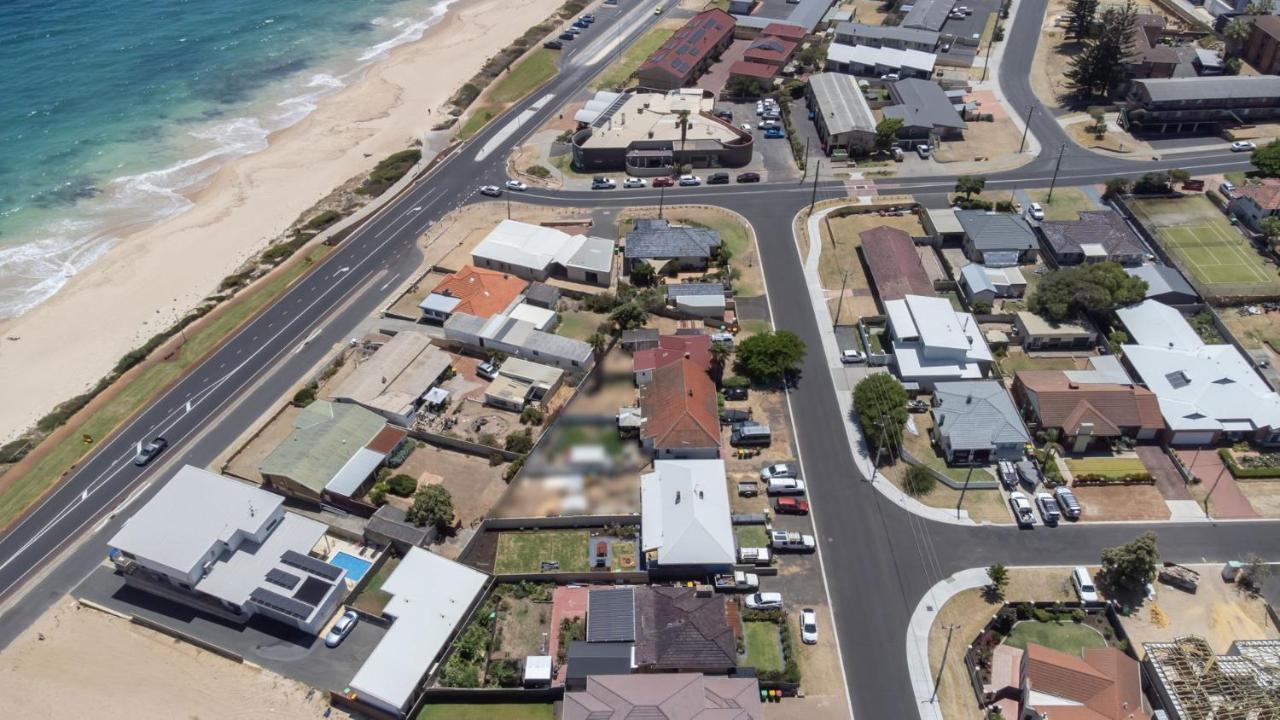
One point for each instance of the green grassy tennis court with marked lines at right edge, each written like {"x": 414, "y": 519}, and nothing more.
{"x": 1220, "y": 261}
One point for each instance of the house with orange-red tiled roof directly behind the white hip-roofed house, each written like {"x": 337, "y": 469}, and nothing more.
{"x": 682, "y": 420}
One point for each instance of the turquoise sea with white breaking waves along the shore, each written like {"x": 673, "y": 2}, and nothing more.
{"x": 109, "y": 110}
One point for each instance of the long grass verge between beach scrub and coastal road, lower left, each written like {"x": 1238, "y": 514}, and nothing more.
{"x": 147, "y": 385}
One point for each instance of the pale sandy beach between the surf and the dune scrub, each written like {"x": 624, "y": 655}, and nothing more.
{"x": 154, "y": 277}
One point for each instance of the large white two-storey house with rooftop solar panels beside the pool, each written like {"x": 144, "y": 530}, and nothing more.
{"x": 228, "y": 549}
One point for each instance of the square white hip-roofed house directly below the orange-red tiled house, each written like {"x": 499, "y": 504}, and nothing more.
{"x": 685, "y": 513}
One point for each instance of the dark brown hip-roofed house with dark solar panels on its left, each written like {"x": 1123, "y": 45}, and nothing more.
{"x": 680, "y": 630}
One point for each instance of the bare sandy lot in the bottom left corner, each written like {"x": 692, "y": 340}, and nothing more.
{"x": 80, "y": 663}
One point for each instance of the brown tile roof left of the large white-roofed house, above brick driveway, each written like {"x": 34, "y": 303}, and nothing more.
{"x": 1110, "y": 407}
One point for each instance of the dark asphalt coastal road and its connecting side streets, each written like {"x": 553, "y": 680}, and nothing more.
{"x": 881, "y": 560}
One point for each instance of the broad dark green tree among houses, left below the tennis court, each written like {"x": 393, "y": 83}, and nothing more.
{"x": 1099, "y": 288}
